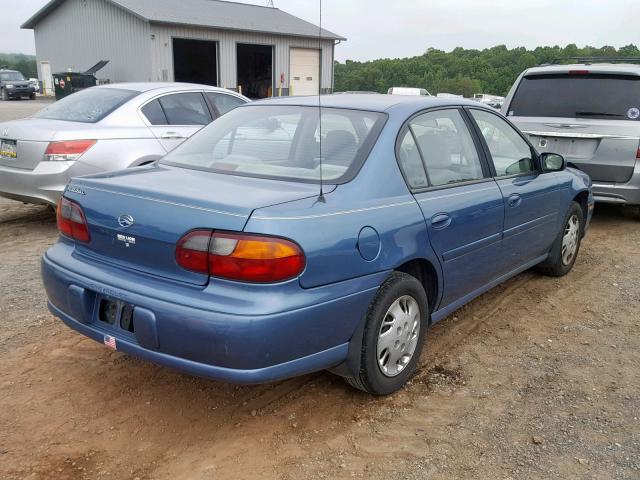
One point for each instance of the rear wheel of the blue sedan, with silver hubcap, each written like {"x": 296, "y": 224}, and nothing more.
{"x": 395, "y": 329}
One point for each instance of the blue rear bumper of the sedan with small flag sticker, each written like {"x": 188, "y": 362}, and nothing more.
{"x": 229, "y": 332}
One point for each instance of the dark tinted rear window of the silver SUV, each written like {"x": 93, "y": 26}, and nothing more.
{"x": 578, "y": 96}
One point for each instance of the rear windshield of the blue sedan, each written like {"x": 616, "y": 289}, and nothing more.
{"x": 283, "y": 142}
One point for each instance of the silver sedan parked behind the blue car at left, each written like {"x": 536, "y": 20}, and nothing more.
{"x": 100, "y": 129}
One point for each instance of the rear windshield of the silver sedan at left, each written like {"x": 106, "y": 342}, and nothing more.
{"x": 87, "y": 106}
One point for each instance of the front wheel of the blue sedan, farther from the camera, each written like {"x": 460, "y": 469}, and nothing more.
{"x": 566, "y": 247}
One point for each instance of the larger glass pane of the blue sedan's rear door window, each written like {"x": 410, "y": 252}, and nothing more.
{"x": 447, "y": 147}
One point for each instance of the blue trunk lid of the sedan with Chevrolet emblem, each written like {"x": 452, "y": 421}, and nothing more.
{"x": 136, "y": 217}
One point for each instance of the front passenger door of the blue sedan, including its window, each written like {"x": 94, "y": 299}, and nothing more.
{"x": 531, "y": 198}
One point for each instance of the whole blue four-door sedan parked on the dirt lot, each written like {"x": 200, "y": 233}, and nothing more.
{"x": 284, "y": 238}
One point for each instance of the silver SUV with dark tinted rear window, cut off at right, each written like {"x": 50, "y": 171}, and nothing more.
{"x": 590, "y": 113}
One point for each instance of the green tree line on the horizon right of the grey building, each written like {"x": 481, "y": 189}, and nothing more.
{"x": 460, "y": 71}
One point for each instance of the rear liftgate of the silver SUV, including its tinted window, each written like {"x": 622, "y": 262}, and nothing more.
{"x": 593, "y": 119}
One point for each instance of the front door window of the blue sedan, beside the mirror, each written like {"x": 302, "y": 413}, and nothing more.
{"x": 510, "y": 153}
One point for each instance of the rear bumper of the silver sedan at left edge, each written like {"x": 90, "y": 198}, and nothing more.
{"x": 44, "y": 184}
